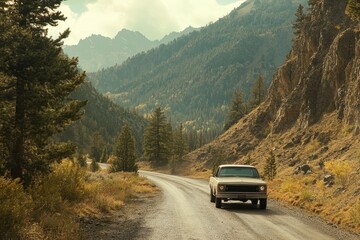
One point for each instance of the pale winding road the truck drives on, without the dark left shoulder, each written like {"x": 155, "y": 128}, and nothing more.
{"x": 184, "y": 211}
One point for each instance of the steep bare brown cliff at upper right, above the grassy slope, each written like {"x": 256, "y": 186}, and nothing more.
{"x": 321, "y": 73}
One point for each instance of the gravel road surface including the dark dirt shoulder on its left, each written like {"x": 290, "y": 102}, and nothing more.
{"x": 183, "y": 211}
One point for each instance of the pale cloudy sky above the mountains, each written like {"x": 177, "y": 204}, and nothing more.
{"x": 153, "y": 18}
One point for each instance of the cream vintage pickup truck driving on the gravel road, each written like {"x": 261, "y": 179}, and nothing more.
{"x": 237, "y": 182}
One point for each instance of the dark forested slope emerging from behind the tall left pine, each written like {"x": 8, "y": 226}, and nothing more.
{"x": 104, "y": 117}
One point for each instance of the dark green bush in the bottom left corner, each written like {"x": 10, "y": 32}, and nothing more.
{"x": 14, "y": 209}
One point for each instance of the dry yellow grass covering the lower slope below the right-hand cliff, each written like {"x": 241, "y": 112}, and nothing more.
{"x": 329, "y": 141}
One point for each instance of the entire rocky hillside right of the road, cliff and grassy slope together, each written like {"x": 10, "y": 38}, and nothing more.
{"x": 310, "y": 121}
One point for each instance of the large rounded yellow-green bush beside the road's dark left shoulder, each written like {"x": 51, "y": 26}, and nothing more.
{"x": 51, "y": 195}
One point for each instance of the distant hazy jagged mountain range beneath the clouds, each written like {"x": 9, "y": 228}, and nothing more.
{"x": 97, "y": 52}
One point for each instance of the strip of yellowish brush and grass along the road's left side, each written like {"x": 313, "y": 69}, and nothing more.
{"x": 52, "y": 207}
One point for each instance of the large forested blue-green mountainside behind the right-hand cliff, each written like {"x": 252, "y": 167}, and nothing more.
{"x": 194, "y": 76}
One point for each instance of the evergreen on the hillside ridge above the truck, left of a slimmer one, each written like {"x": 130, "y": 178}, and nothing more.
{"x": 237, "y": 111}
